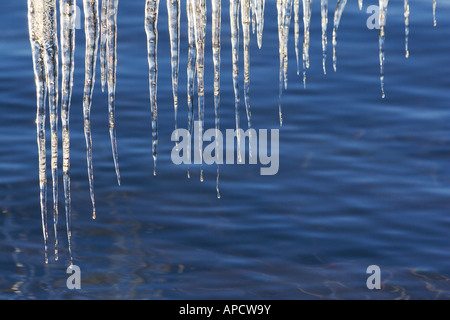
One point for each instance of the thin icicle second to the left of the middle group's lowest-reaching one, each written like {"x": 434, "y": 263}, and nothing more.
{"x": 191, "y": 71}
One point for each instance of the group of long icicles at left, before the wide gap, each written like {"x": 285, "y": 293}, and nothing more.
{"x": 43, "y": 26}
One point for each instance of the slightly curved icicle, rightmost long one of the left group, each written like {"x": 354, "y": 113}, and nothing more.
{"x": 111, "y": 49}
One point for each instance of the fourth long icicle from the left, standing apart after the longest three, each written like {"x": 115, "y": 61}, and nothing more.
{"x": 92, "y": 34}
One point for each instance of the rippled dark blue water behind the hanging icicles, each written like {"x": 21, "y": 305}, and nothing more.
{"x": 362, "y": 180}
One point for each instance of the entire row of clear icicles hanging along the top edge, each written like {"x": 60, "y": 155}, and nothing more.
{"x": 101, "y": 32}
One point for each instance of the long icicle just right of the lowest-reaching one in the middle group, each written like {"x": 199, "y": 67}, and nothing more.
{"x": 234, "y": 24}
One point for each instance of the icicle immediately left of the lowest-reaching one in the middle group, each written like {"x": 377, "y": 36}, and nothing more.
{"x": 199, "y": 31}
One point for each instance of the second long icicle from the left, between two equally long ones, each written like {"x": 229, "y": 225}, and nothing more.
{"x": 50, "y": 45}
